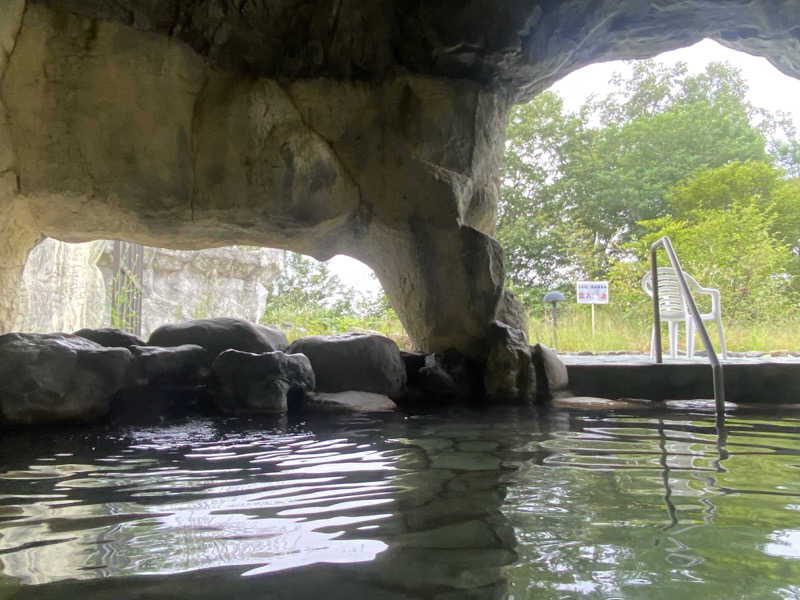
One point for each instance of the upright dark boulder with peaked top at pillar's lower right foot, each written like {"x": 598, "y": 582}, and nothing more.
{"x": 509, "y": 374}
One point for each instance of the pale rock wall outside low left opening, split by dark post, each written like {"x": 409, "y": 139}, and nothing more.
{"x": 66, "y": 287}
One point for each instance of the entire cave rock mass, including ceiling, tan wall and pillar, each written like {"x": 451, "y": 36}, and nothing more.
{"x": 371, "y": 129}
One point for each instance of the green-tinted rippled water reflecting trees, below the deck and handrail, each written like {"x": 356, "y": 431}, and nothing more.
{"x": 639, "y": 506}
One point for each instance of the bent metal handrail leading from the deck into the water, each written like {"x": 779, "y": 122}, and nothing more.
{"x": 716, "y": 366}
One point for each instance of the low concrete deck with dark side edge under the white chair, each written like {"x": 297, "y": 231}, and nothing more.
{"x": 748, "y": 379}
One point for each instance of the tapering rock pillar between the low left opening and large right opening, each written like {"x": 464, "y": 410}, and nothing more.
{"x": 423, "y": 155}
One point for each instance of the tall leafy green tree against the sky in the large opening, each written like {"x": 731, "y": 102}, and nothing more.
{"x": 576, "y": 187}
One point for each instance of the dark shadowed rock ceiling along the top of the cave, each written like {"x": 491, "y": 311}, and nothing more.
{"x": 518, "y": 45}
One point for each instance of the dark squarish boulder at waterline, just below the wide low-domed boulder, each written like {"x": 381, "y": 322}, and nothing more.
{"x": 260, "y": 383}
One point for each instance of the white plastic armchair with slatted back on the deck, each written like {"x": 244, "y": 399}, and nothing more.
{"x": 673, "y": 309}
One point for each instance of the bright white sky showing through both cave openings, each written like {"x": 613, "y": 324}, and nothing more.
{"x": 769, "y": 88}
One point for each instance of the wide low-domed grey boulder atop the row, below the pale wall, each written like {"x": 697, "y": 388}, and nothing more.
{"x": 219, "y": 334}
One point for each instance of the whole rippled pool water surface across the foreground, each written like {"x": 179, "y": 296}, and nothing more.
{"x": 499, "y": 504}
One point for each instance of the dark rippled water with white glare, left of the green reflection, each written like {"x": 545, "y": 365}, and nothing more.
{"x": 410, "y": 506}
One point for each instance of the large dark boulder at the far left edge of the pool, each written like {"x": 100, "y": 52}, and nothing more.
{"x": 58, "y": 378}
